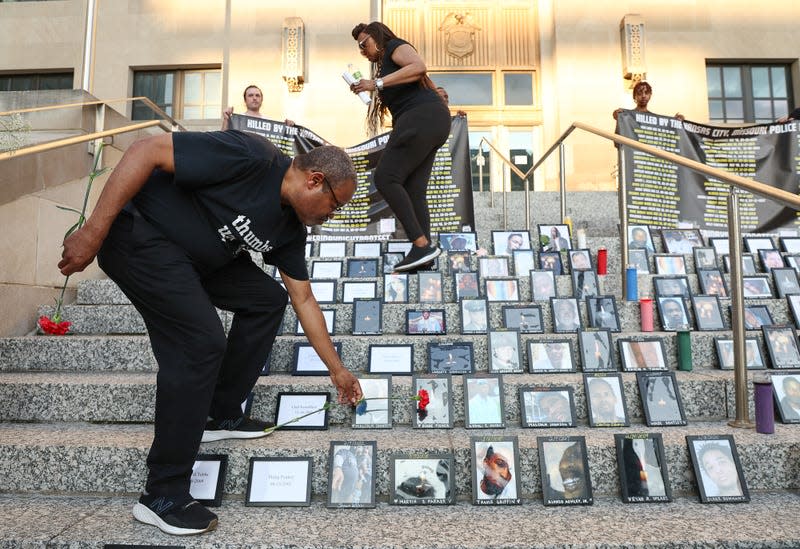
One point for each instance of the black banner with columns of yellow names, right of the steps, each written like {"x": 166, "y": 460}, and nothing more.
{"x": 661, "y": 194}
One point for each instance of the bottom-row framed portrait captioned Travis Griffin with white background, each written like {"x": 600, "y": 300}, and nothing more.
{"x": 495, "y": 471}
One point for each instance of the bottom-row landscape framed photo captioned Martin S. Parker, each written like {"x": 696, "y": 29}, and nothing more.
{"x": 421, "y": 479}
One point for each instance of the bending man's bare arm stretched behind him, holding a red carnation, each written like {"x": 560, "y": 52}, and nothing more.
{"x": 126, "y": 180}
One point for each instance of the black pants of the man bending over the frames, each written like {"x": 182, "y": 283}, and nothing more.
{"x": 201, "y": 372}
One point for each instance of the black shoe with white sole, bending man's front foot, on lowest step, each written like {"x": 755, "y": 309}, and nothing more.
{"x": 176, "y": 516}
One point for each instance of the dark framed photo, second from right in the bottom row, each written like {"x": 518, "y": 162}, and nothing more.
{"x": 642, "y": 468}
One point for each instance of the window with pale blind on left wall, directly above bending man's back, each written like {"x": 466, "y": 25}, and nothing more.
{"x": 183, "y": 94}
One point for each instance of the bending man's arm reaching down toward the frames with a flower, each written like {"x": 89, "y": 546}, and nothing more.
{"x": 310, "y": 316}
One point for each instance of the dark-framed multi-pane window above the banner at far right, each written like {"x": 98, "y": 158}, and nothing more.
{"x": 748, "y": 93}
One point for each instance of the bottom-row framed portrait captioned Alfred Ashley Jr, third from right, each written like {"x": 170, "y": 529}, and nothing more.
{"x": 564, "y": 467}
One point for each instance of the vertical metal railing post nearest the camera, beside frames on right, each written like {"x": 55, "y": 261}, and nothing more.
{"x": 741, "y": 397}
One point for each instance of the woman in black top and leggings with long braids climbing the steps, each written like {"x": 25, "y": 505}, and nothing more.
{"x": 421, "y": 124}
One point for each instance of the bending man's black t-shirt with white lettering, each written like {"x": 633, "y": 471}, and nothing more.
{"x": 223, "y": 198}
